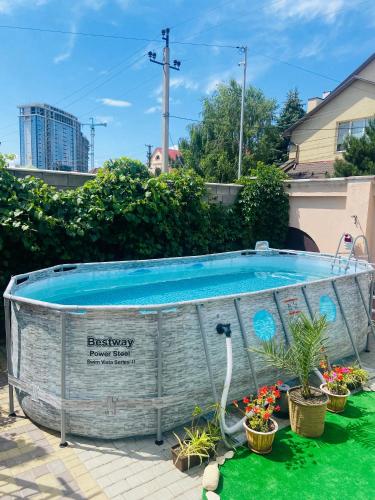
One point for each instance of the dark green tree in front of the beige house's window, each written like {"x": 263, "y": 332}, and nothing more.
{"x": 359, "y": 155}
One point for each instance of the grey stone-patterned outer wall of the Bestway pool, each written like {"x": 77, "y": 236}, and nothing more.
{"x": 114, "y": 401}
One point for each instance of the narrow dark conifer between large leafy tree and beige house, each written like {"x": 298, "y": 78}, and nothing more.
{"x": 290, "y": 113}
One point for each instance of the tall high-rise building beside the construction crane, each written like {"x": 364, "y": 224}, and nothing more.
{"x": 51, "y": 139}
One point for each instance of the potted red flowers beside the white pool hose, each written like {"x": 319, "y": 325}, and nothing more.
{"x": 260, "y": 428}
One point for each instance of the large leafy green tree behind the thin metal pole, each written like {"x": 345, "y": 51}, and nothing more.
{"x": 212, "y": 146}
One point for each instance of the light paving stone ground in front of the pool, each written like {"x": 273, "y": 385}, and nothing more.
{"x": 32, "y": 465}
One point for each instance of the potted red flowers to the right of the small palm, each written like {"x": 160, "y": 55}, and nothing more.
{"x": 335, "y": 387}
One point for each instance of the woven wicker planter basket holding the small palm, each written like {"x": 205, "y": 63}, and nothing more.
{"x": 307, "y": 419}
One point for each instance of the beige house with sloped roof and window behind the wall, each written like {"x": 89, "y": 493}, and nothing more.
{"x": 317, "y": 139}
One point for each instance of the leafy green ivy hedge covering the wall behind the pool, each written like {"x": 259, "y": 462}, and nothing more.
{"x": 119, "y": 216}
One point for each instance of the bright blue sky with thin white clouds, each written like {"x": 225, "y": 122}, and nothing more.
{"x": 308, "y": 44}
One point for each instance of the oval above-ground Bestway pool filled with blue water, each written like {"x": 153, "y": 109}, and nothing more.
{"x": 129, "y": 348}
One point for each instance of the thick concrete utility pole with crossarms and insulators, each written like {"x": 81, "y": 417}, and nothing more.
{"x": 166, "y": 67}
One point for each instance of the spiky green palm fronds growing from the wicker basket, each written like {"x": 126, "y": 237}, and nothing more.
{"x": 303, "y": 354}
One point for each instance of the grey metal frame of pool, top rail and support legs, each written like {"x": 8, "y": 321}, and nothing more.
{"x": 63, "y": 403}
